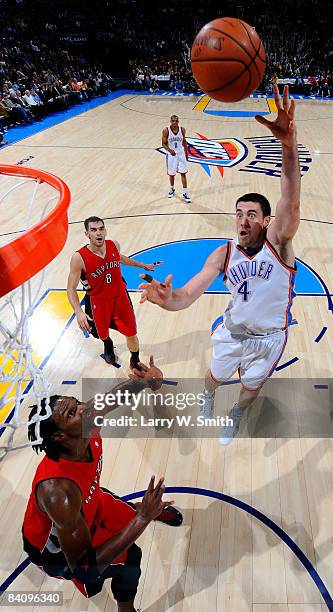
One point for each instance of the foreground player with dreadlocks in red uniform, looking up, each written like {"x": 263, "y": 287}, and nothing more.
{"x": 73, "y": 528}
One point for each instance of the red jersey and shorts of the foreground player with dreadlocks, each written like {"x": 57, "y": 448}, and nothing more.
{"x": 37, "y": 525}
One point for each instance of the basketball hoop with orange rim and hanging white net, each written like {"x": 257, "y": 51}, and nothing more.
{"x": 21, "y": 259}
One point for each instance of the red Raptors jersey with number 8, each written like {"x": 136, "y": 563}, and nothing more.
{"x": 103, "y": 274}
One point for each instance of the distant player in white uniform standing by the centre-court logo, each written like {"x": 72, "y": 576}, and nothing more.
{"x": 174, "y": 142}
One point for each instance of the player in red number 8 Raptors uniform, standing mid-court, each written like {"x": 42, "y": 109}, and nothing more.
{"x": 107, "y": 303}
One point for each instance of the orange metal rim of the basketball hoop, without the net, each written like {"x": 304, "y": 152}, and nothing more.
{"x": 26, "y": 255}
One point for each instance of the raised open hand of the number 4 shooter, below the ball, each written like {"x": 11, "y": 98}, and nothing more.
{"x": 284, "y": 127}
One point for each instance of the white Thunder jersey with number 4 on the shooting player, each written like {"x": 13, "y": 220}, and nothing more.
{"x": 261, "y": 288}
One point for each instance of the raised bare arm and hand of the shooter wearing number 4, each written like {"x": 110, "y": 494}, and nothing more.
{"x": 287, "y": 214}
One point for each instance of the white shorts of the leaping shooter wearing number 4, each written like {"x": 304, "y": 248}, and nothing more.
{"x": 255, "y": 357}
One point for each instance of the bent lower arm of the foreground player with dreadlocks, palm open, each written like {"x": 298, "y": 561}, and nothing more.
{"x": 62, "y": 501}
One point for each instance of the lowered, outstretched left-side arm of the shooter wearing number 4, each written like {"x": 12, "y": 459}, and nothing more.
{"x": 168, "y": 298}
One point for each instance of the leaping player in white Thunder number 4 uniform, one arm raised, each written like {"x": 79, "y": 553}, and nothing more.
{"x": 259, "y": 270}
